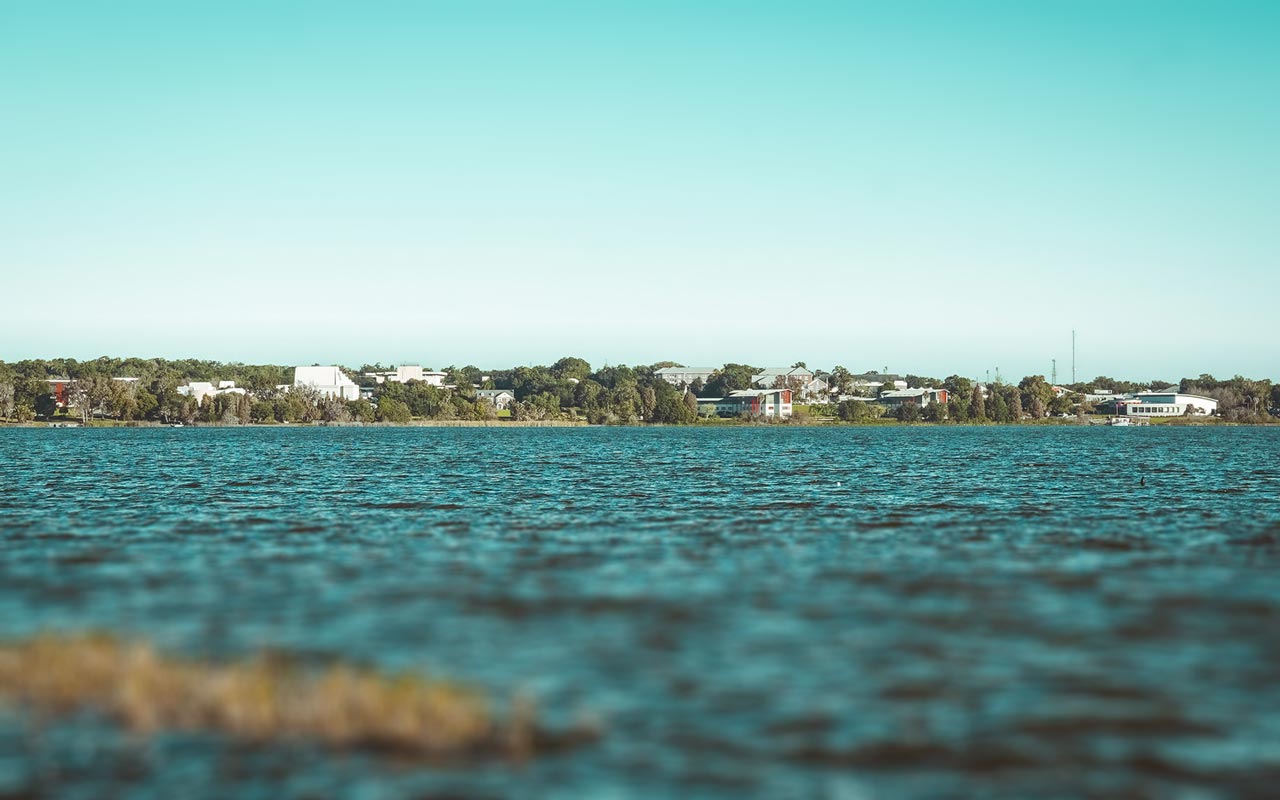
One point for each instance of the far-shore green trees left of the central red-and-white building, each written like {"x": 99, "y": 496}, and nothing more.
{"x": 569, "y": 390}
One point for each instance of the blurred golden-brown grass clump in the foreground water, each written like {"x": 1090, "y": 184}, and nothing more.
{"x": 263, "y": 700}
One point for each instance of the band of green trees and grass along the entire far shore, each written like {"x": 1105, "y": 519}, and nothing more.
{"x": 152, "y": 392}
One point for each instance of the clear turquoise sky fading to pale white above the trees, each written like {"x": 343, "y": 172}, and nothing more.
{"x": 930, "y": 188}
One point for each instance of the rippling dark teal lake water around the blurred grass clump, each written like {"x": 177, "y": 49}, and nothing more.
{"x": 778, "y": 612}
